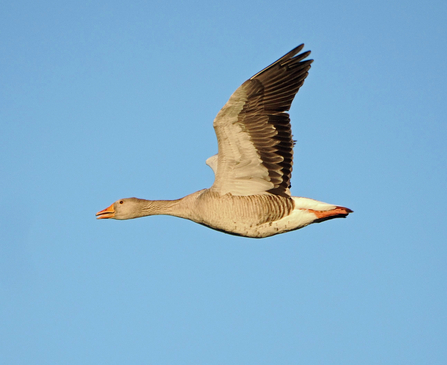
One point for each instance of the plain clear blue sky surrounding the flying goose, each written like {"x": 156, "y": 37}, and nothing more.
{"x": 101, "y": 100}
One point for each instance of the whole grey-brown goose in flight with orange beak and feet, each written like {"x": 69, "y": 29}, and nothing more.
{"x": 250, "y": 196}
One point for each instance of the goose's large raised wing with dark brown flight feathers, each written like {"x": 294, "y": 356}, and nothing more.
{"x": 255, "y": 146}
